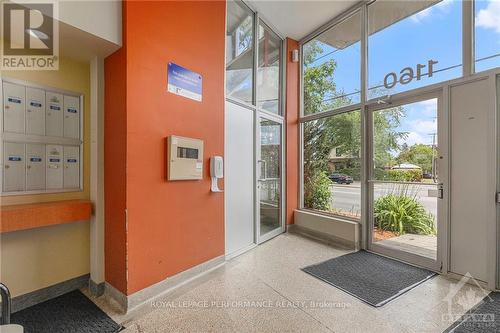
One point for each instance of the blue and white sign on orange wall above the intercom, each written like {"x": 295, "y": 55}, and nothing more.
{"x": 183, "y": 82}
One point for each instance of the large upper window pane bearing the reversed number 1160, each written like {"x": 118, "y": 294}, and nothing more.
{"x": 413, "y": 44}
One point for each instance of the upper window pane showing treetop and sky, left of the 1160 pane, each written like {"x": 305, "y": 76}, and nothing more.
{"x": 331, "y": 71}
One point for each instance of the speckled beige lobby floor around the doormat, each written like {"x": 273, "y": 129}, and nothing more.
{"x": 264, "y": 290}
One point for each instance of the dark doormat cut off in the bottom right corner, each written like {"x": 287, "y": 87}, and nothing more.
{"x": 484, "y": 318}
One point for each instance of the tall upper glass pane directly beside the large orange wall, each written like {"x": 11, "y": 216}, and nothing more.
{"x": 239, "y": 52}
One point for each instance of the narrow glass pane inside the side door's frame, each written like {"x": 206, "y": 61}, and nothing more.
{"x": 269, "y": 176}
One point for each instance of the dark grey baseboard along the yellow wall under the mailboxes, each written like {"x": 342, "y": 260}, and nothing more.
{"x": 38, "y": 296}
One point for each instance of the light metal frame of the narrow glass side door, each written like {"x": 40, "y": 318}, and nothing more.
{"x": 260, "y": 114}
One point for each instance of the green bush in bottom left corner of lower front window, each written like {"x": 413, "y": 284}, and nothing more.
{"x": 317, "y": 194}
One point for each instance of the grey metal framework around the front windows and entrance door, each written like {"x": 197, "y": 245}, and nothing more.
{"x": 441, "y": 89}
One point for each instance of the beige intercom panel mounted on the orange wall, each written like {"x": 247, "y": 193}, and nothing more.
{"x": 185, "y": 158}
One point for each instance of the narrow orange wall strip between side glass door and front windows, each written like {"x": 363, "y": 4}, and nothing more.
{"x": 292, "y": 131}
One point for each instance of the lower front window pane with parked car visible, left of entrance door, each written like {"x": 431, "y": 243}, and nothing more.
{"x": 332, "y": 164}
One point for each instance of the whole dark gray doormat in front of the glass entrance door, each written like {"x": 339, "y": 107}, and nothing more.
{"x": 373, "y": 279}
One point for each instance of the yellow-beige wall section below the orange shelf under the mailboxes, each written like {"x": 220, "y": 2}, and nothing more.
{"x": 35, "y": 259}
